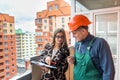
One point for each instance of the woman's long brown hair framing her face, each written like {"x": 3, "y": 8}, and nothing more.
{"x": 64, "y": 37}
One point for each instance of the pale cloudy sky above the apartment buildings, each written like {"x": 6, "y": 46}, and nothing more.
{"x": 24, "y": 12}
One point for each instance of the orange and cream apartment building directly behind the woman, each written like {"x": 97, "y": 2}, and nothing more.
{"x": 55, "y": 16}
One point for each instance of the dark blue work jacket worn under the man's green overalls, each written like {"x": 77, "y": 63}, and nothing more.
{"x": 100, "y": 54}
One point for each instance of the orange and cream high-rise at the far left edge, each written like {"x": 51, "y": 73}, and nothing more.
{"x": 8, "y": 66}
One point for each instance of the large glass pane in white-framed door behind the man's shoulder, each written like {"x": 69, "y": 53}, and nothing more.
{"x": 106, "y": 27}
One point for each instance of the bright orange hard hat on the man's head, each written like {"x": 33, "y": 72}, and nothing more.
{"x": 77, "y": 21}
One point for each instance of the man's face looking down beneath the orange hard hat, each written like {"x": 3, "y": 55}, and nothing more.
{"x": 78, "y": 34}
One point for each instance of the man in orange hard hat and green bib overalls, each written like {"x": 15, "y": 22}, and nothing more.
{"x": 92, "y": 58}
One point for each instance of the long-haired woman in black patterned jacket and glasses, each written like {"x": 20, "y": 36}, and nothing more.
{"x": 55, "y": 54}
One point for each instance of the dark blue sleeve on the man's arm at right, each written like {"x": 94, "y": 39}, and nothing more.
{"x": 106, "y": 61}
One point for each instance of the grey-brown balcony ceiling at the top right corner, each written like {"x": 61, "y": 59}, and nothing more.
{"x": 99, "y": 4}
